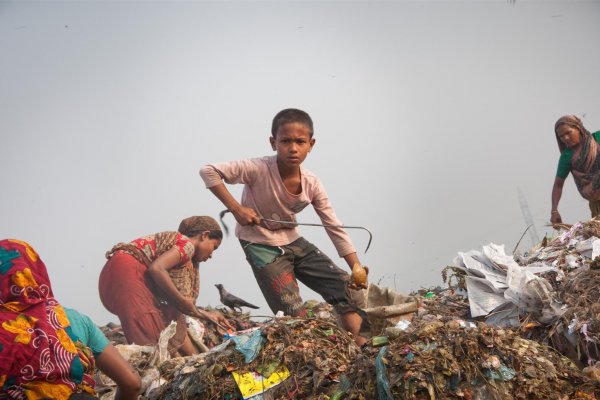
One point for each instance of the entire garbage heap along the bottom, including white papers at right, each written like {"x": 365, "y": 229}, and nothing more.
{"x": 535, "y": 339}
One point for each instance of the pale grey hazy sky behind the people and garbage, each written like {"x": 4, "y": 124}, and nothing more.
{"x": 429, "y": 117}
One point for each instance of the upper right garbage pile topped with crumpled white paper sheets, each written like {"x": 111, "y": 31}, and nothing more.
{"x": 550, "y": 293}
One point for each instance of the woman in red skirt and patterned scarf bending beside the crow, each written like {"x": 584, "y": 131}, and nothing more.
{"x": 154, "y": 280}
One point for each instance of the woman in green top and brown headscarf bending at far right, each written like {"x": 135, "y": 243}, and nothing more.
{"x": 579, "y": 155}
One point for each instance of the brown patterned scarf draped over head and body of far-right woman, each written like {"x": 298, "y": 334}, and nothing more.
{"x": 585, "y": 162}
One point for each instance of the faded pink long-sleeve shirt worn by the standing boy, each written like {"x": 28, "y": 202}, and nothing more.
{"x": 265, "y": 192}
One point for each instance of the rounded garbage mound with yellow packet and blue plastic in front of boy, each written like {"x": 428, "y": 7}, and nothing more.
{"x": 288, "y": 358}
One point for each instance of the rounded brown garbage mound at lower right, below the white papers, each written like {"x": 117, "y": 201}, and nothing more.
{"x": 444, "y": 357}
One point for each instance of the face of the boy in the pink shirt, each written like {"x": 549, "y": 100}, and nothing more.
{"x": 292, "y": 143}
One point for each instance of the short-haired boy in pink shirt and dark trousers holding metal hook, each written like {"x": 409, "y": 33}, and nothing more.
{"x": 277, "y": 188}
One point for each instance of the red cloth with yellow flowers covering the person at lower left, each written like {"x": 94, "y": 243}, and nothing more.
{"x": 39, "y": 357}
